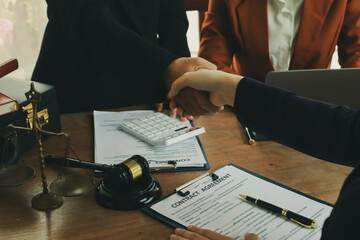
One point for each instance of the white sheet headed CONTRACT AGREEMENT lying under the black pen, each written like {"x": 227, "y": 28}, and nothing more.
{"x": 216, "y": 205}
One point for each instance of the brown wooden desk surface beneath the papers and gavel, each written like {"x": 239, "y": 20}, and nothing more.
{"x": 82, "y": 218}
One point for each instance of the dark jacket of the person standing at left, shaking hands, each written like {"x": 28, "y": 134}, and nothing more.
{"x": 110, "y": 53}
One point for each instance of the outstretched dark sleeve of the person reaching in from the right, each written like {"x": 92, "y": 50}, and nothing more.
{"x": 322, "y": 130}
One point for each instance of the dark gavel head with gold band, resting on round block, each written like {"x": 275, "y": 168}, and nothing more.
{"x": 127, "y": 173}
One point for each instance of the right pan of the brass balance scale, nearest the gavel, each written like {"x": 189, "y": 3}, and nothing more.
{"x": 72, "y": 185}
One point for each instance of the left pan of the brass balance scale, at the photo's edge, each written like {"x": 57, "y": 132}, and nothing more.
{"x": 14, "y": 175}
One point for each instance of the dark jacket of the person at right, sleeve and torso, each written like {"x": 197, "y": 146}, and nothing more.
{"x": 322, "y": 130}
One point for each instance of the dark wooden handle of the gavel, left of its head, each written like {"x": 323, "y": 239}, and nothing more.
{"x": 70, "y": 162}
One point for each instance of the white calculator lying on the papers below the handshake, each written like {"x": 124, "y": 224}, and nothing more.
{"x": 160, "y": 129}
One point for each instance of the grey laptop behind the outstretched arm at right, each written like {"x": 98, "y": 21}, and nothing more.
{"x": 336, "y": 86}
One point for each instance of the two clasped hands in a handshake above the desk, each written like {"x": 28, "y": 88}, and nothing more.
{"x": 197, "y": 88}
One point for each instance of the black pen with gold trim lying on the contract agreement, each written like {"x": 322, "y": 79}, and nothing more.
{"x": 301, "y": 220}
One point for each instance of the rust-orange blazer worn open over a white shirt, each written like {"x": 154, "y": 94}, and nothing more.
{"x": 235, "y": 36}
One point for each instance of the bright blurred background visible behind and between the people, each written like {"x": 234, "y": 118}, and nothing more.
{"x": 22, "y": 24}
